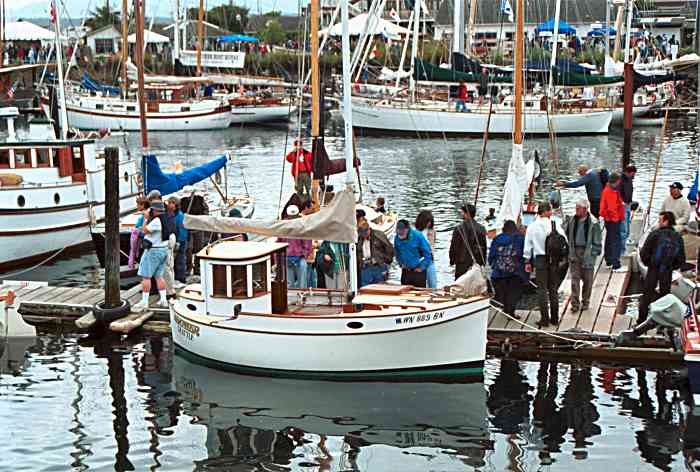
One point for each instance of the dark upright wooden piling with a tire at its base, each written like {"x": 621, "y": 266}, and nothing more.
{"x": 112, "y": 292}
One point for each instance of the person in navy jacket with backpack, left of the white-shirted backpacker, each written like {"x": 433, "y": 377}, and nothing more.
{"x": 507, "y": 263}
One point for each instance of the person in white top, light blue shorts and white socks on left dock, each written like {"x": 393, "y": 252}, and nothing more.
{"x": 153, "y": 260}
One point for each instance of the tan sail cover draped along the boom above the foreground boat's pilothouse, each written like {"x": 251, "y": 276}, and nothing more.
{"x": 335, "y": 222}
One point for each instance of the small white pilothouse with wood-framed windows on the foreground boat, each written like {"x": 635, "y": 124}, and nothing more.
{"x": 247, "y": 276}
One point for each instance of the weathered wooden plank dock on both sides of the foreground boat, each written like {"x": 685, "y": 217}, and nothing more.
{"x": 588, "y": 334}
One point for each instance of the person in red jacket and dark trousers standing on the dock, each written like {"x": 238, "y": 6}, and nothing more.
{"x": 612, "y": 212}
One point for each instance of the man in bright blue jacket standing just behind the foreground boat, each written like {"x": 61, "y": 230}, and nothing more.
{"x": 413, "y": 254}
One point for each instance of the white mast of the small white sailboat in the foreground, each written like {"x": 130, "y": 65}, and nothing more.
{"x": 347, "y": 115}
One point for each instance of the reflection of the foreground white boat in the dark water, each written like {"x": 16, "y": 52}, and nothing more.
{"x": 279, "y": 421}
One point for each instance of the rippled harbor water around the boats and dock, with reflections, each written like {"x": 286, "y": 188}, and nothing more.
{"x": 133, "y": 405}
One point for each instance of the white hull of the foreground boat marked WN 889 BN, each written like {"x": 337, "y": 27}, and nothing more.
{"x": 452, "y": 338}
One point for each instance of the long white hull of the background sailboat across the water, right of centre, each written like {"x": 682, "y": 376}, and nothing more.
{"x": 402, "y": 119}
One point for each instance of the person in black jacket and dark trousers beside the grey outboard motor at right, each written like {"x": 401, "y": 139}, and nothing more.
{"x": 663, "y": 252}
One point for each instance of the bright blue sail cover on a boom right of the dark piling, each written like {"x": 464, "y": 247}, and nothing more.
{"x": 156, "y": 179}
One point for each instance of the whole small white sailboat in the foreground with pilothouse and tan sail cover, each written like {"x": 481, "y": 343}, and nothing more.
{"x": 243, "y": 317}
